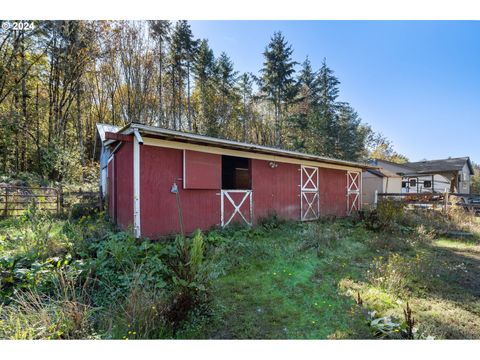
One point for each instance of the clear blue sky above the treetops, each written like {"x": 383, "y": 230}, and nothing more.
{"x": 416, "y": 82}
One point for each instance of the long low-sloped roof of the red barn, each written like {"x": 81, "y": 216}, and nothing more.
{"x": 207, "y": 140}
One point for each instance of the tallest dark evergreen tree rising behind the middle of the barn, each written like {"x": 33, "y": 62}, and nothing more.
{"x": 277, "y": 79}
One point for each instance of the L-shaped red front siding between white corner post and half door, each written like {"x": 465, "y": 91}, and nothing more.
{"x": 159, "y": 168}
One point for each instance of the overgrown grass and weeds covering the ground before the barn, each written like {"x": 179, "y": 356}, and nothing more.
{"x": 78, "y": 279}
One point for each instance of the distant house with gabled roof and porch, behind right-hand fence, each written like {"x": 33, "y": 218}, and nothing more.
{"x": 452, "y": 174}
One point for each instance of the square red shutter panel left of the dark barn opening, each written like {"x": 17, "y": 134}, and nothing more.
{"x": 202, "y": 170}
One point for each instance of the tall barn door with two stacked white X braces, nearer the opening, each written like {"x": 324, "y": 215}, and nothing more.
{"x": 309, "y": 199}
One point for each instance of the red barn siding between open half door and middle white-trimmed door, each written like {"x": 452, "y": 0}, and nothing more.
{"x": 276, "y": 190}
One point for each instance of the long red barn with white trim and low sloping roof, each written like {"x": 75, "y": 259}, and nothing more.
{"x": 163, "y": 182}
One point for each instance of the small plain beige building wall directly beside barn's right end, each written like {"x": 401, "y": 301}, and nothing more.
{"x": 380, "y": 181}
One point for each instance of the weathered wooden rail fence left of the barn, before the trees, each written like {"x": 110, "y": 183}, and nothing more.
{"x": 15, "y": 200}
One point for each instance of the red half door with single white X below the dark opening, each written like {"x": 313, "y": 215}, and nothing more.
{"x": 236, "y": 205}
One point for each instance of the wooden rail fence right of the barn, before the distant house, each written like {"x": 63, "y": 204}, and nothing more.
{"x": 469, "y": 202}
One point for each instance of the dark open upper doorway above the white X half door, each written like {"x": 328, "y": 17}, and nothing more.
{"x": 236, "y": 174}
